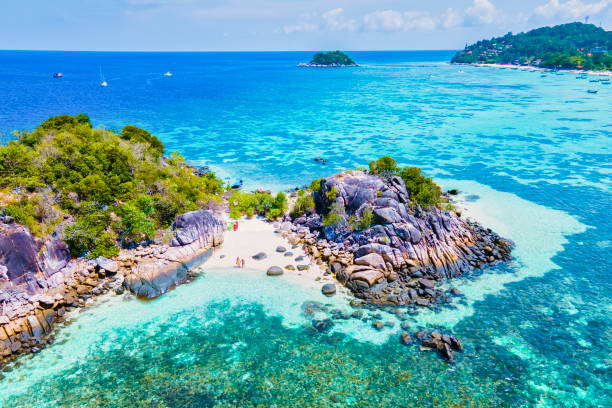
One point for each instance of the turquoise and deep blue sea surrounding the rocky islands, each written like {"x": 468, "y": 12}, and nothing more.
{"x": 531, "y": 156}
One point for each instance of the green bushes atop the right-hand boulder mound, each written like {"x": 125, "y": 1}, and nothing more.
{"x": 422, "y": 190}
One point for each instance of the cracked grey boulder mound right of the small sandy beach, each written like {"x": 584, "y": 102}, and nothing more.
{"x": 401, "y": 256}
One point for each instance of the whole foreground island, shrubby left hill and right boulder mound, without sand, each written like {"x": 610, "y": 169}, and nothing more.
{"x": 136, "y": 220}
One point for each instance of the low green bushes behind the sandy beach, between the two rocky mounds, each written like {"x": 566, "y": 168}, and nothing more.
{"x": 249, "y": 204}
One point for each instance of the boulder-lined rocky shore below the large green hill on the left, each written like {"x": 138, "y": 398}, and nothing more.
{"x": 41, "y": 283}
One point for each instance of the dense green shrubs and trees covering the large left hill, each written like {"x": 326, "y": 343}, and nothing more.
{"x": 112, "y": 188}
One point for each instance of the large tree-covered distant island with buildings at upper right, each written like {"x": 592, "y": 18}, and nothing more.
{"x": 567, "y": 46}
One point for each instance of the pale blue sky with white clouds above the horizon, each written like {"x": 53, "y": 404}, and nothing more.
{"x": 279, "y": 24}
